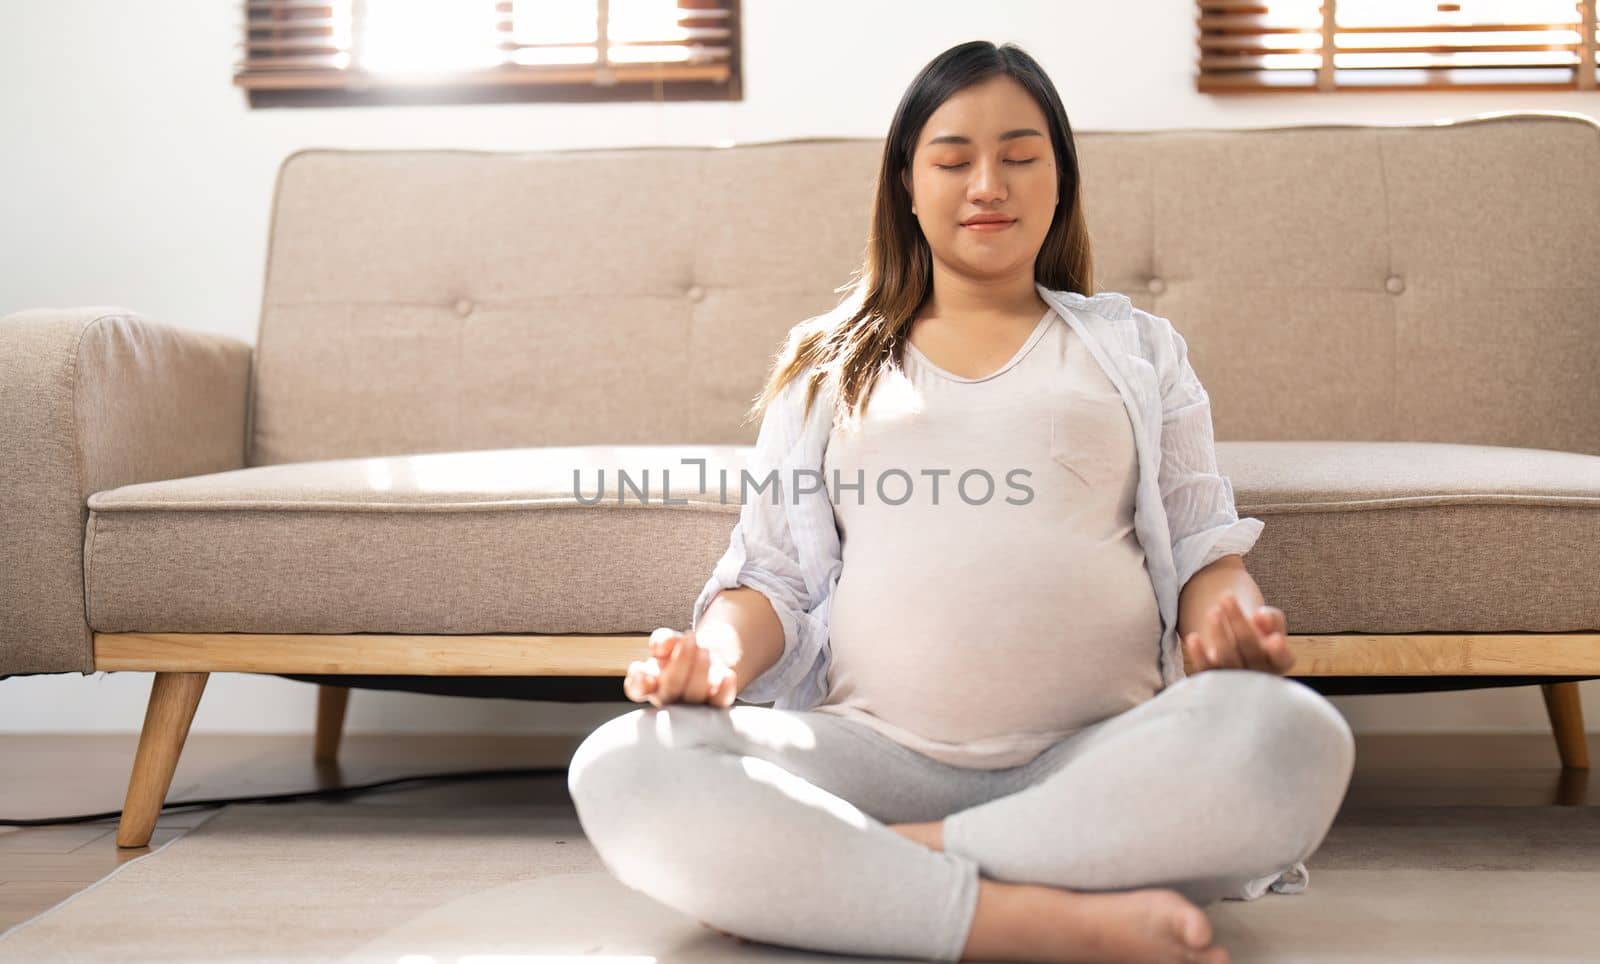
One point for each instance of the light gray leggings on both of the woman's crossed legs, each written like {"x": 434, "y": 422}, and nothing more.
{"x": 772, "y": 824}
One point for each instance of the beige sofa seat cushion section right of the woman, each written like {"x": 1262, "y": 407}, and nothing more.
{"x": 1422, "y": 537}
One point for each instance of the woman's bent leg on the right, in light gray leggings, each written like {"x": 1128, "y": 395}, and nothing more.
{"x": 1222, "y": 779}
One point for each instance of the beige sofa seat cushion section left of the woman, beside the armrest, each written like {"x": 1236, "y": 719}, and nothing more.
{"x": 455, "y": 542}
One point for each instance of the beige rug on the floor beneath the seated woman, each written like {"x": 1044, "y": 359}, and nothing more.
{"x": 519, "y": 885}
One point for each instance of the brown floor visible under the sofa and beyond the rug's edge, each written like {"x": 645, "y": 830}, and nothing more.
{"x": 86, "y": 774}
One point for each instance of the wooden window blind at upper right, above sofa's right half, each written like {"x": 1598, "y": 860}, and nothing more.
{"x": 1332, "y": 46}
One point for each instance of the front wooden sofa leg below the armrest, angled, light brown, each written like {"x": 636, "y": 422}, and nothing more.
{"x": 174, "y": 702}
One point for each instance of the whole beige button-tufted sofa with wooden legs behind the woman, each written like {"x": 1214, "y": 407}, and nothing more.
{"x": 1398, "y": 329}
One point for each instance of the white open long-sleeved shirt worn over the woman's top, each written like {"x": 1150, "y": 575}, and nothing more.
{"x": 1185, "y": 513}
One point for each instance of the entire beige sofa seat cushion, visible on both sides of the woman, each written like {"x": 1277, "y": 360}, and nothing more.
{"x": 1361, "y": 537}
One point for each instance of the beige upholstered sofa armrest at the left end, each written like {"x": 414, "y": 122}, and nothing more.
{"x": 92, "y": 400}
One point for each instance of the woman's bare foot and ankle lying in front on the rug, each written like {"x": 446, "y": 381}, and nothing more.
{"x": 1050, "y": 925}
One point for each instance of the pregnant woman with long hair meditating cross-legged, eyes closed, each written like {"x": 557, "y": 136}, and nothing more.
{"x": 998, "y": 532}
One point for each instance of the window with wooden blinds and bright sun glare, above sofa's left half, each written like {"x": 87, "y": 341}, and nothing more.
{"x": 454, "y": 52}
